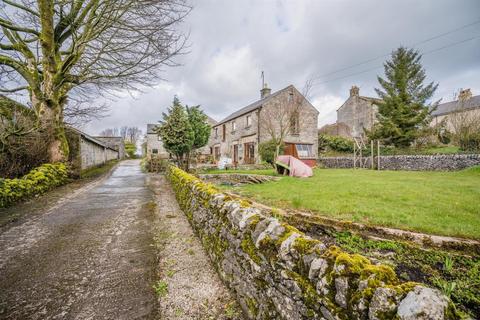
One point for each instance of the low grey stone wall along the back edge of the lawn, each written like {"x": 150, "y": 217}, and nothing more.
{"x": 409, "y": 162}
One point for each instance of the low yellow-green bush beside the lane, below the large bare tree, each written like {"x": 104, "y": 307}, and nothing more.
{"x": 37, "y": 181}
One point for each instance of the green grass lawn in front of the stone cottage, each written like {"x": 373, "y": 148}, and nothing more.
{"x": 443, "y": 203}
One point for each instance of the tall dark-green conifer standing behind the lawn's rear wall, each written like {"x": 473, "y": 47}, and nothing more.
{"x": 403, "y": 110}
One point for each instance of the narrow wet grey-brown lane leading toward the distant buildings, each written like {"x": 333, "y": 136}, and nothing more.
{"x": 91, "y": 256}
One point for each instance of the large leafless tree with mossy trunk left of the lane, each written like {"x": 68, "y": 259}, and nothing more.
{"x": 56, "y": 49}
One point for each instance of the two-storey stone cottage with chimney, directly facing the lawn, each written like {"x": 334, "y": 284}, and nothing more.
{"x": 239, "y": 134}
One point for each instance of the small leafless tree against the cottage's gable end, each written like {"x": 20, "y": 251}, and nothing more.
{"x": 284, "y": 117}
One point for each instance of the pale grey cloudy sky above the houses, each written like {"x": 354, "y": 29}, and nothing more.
{"x": 231, "y": 42}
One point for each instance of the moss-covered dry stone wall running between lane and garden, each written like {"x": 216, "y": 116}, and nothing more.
{"x": 276, "y": 272}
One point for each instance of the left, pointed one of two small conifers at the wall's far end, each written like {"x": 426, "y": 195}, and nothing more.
{"x": 176, "y": 132}
